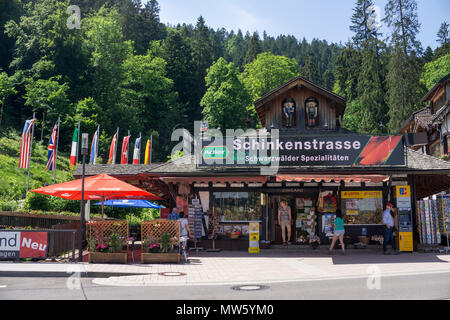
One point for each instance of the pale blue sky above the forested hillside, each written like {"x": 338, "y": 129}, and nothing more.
{"x": 322, "y": 19}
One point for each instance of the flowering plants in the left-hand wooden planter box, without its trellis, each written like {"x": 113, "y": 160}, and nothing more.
{"x": 108, "y": 250}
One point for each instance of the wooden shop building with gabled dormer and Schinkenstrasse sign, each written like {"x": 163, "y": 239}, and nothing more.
{"x": 320, "y": 167}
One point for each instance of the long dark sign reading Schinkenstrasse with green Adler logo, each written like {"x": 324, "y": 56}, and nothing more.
{"x": 351, "y": 151}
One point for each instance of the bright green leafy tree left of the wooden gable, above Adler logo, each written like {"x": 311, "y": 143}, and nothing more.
{"x": 224, "y": 103}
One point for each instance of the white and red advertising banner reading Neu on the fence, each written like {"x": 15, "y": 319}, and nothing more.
{"x": 21, "y": 244}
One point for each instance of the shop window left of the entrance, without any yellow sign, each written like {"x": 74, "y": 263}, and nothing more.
{"x": 238, "y": 206}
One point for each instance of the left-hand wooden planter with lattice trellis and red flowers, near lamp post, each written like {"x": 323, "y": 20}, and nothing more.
{"x": 107, "y": 240}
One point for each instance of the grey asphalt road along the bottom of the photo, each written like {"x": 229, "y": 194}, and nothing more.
{"x": 419, "y": 287}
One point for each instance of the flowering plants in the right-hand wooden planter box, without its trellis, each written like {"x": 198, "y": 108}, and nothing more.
{"x": 162, "y": 252}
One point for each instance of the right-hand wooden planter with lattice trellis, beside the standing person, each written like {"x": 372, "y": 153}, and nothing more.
{"x": 160, "y": 241}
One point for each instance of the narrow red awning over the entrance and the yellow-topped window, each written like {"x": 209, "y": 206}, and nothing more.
{"x": 331, "y": 178}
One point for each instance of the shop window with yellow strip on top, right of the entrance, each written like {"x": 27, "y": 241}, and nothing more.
{"x": 362, "y": 207}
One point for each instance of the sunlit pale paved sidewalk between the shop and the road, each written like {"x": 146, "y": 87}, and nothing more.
{"x": 237, "y": 268}
